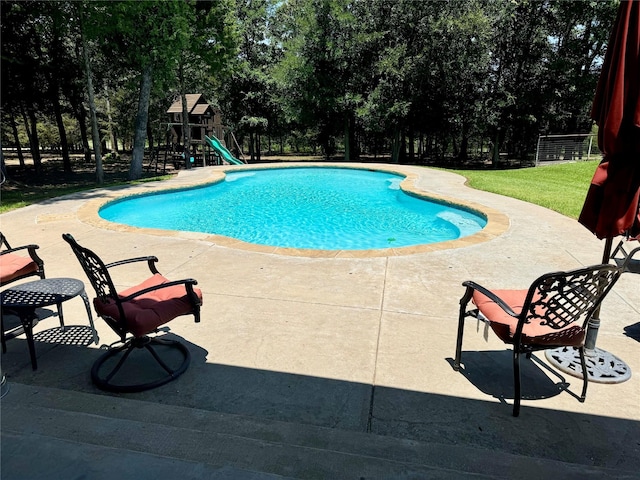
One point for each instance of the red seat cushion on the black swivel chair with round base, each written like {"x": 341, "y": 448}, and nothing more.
{"x": 148, "y": 311}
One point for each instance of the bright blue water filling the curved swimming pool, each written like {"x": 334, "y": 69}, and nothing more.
{"x": 311, "y": 207}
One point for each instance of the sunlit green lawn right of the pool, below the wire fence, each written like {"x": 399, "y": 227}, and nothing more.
{"x": 561, "y": 188}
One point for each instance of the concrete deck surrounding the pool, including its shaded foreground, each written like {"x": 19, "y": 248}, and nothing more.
{"x": 320, "y": 366}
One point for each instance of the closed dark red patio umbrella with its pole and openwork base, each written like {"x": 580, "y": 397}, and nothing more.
{"x": 612, "y": 205}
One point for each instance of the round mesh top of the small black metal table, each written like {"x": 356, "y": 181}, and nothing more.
{"x": 40, "y": 293}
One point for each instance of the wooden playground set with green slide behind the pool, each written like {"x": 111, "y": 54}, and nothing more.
{"x": 207, "y": 145}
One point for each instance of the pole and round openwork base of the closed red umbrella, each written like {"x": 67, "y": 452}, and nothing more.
{"x": 602, "y": 366}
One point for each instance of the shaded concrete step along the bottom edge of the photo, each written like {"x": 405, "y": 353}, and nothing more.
{"x": 52, "y": 433}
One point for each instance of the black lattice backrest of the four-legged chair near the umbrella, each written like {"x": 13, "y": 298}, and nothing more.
{"x": 561, "y": 298}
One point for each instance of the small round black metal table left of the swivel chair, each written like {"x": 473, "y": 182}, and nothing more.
{"x": 25, "y": 298}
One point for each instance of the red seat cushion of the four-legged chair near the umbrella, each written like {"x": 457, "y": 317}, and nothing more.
{"x": 533, "y": 333}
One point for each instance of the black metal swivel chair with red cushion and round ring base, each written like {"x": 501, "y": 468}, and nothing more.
{"x": 137, "y": 312}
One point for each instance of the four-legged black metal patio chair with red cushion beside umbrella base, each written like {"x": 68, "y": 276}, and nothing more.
{"x": 553, "y": 312}
